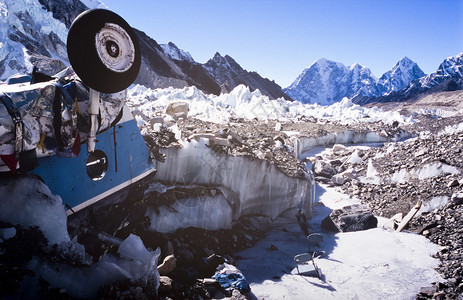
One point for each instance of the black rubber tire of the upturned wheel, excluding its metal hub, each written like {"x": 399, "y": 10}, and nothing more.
{"x": 84, "y": 58}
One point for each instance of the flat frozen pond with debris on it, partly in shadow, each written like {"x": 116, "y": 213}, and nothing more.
{"x": 371, "y": 264}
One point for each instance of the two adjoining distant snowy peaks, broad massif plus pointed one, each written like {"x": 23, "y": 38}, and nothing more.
{"x": 326, "y": 82}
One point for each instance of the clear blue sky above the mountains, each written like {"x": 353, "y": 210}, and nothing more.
{"x": 279, "y": 38}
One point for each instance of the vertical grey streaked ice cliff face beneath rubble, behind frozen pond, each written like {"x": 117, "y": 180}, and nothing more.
{"x": 259, "y": 186}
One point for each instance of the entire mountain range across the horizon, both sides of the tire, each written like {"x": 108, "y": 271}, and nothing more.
{"x": 31, "y": 36}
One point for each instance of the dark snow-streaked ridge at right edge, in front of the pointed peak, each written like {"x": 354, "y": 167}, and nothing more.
{"x": 448, "y": 77}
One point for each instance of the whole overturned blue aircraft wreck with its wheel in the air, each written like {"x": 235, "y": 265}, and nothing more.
{"x": 73, "y": 130}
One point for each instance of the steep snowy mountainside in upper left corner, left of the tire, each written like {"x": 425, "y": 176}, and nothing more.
{"x": 29, "y": 36}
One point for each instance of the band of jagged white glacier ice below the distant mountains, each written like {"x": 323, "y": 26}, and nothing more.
{"x": 242, "y": 103}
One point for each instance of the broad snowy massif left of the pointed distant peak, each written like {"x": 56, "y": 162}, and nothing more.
{"x": 326, "y": 82}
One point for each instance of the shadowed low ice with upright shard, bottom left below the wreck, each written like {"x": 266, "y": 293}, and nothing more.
{"x": 135, "y": 263}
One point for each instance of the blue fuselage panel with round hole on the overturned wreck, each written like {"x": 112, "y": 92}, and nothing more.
{"x": 127, "y": 158}
